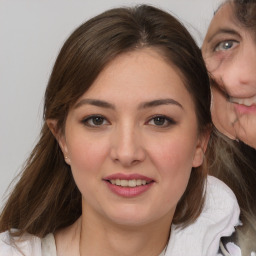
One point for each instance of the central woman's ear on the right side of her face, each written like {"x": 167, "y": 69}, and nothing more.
{"x": 201, "y": 147}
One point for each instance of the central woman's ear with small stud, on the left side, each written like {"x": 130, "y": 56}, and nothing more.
{"x": 60, "y": 137}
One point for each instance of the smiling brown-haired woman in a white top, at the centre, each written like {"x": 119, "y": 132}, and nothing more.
{"x": 119, "y": 169}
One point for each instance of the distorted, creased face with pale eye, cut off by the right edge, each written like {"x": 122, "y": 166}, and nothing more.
{"x": 229, "y": 50}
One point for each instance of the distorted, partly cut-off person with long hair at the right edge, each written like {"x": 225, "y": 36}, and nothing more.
{"x": 229, "y": 50}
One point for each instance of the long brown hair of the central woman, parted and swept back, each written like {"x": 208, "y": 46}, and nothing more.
{"x": 46, "y": 197}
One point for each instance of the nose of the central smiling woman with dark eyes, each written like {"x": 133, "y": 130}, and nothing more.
{"x": 127, "y": 146}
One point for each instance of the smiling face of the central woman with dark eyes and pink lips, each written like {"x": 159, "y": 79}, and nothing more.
{"x": 132, "y": 139}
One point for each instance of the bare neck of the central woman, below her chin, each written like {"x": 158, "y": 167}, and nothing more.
{"x": 107, "y": 238}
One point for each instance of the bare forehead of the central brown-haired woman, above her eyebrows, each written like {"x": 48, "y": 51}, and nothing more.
{"x": 130, "y": 75}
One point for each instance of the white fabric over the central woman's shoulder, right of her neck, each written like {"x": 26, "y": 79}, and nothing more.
{"x": 219, "y": 217}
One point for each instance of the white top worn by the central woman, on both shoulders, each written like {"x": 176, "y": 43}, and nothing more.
{"x": 219, "y": 217}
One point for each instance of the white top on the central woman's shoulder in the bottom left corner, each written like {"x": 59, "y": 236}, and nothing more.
{"x": 27, "y": 245}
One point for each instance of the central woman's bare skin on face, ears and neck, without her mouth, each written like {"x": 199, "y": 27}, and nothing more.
{"x": 159, "y": 141}
